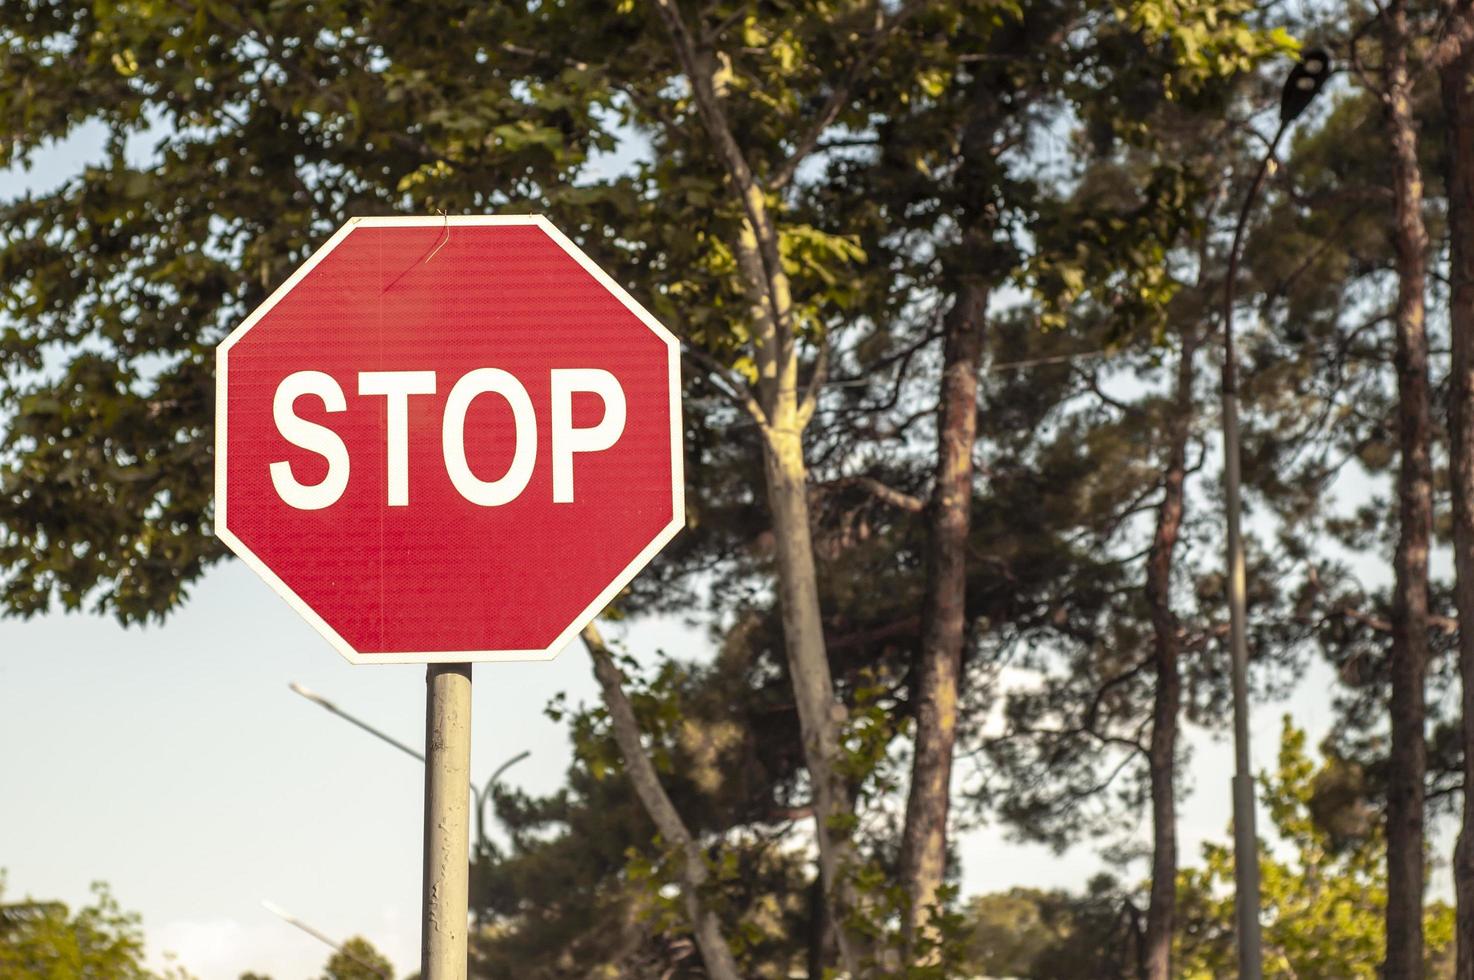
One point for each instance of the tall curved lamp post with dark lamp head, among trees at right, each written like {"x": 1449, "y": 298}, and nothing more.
{"x": 1302, "y": 86}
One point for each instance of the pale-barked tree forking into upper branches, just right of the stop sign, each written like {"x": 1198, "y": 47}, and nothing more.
{"x": 779, "y": 400}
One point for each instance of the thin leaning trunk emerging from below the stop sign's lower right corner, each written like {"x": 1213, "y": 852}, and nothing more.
{"x": 705, "y": 926}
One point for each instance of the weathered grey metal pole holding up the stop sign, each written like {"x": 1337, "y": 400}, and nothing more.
{"x": 447, "y": 822}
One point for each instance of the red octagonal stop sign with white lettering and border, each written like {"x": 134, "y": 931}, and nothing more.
{"x": 449, "y": 440}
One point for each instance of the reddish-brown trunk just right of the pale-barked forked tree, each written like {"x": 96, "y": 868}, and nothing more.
{"x": 940, "y": 661}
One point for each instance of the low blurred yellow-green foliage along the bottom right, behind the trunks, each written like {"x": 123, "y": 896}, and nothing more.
{"x": 1323, "y": 885}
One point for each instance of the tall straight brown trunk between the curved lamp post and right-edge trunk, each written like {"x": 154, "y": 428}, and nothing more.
{"x": 1410, "y": 640}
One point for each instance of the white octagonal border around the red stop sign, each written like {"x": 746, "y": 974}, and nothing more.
{"x": 452, "y": 657}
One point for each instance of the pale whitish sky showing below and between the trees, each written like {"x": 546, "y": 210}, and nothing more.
{"x": 175, "y": 764}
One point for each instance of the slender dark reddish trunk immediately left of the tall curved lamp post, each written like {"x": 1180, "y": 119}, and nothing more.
{"x": 1168, "y": 696}
